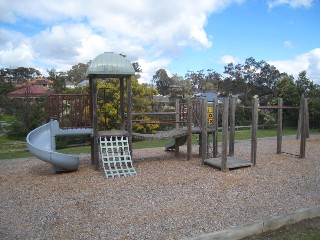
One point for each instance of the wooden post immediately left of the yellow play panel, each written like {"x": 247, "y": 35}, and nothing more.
{"x": 204, "y": 130}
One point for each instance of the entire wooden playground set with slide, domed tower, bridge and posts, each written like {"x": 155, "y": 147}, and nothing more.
{"x": 78, "y": 114}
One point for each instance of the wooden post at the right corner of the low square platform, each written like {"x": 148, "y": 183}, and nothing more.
{"x": 254, "y": 130}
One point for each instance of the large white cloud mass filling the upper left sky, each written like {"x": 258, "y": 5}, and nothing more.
{"x": 77, "y": 30}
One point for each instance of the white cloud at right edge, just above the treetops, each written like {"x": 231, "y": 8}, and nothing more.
{"x": 309, "y": 62}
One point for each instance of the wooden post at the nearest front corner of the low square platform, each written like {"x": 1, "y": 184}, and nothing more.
{"x": 224, "y": 143}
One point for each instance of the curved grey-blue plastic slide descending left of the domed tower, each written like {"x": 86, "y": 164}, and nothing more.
{"x": 41, "y": 143}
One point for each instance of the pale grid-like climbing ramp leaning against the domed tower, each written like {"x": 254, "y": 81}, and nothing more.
{"x": 115, "y": 155}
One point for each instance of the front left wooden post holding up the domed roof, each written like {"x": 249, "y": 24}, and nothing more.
{"x": 95, "y": 124}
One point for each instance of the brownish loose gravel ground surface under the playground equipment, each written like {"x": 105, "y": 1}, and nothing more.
{"x": 168, "y": 199}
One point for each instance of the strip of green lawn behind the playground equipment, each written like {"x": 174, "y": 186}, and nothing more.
{"x": 17, "y": 149}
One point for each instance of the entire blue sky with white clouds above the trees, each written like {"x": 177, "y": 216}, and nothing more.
{"x": 176, "y": 35}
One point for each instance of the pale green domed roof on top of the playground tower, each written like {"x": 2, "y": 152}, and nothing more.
{"x": 110, "y": 64}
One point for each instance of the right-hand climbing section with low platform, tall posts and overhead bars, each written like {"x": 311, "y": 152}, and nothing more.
{"x": 229, "y": 161}
